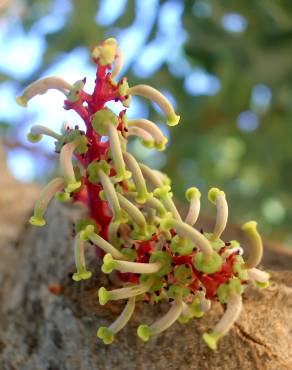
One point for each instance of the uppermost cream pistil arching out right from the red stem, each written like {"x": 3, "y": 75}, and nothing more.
{"x": 154, "y": 95}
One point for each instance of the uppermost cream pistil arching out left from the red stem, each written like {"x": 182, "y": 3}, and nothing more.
{"x": 42, "y": 86}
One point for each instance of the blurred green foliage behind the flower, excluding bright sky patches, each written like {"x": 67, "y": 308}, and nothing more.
{"x": 209, "y": 148}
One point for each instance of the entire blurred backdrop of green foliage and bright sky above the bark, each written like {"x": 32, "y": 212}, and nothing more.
{"x": 225, "y": 65}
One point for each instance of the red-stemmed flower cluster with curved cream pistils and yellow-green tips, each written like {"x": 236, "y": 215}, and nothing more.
{"x": 131, "y": 217}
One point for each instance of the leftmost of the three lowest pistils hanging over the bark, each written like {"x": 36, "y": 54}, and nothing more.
{"x": 108, "y": 334}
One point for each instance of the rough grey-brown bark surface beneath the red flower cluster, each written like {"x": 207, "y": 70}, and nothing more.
{"x": 43, "y": 331}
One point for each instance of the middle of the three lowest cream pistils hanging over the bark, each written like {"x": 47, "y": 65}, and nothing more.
{"x": 145, "y": 332}
